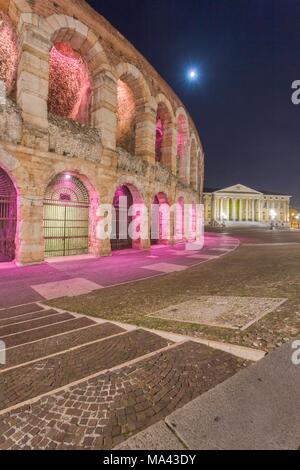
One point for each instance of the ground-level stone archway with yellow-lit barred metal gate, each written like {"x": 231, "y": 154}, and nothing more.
{"x": 75, "y": 196}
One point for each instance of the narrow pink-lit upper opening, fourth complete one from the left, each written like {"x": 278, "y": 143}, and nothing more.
{"x": 182, "y": 147}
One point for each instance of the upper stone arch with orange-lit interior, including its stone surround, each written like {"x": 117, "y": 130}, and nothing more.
{"x": 133, "y": 99}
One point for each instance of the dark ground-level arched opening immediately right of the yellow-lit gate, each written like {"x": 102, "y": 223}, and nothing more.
{"x": 127, "y": 218}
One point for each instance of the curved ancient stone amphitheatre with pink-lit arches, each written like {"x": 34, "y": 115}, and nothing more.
{"x": 84, "y": 120}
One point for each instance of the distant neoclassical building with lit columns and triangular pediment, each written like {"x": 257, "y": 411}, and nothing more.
{"x": 242, "y": 205}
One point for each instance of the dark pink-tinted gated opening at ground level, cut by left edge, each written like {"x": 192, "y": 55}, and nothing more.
{"x": 8, "y": 217}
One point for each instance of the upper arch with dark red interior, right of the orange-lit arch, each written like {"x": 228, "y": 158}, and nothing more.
{"x": 164, "y": 149}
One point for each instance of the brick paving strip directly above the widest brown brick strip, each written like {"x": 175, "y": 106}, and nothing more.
{"x": 46, "y": 347}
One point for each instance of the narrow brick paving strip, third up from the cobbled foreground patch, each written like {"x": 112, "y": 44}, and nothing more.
{"x": 49, "y": 330}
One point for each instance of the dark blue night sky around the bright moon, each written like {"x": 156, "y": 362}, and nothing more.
{"x": 248, "y": 52}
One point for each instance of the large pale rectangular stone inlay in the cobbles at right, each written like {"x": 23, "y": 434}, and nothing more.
{"x": 224, "y": 312}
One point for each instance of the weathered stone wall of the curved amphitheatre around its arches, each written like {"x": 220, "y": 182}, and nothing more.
{"x": 36, "y": 146}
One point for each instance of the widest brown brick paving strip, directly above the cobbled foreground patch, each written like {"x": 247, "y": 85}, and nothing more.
{"x": 26, "y": 382}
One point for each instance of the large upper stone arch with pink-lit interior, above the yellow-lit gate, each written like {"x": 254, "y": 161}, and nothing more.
{"x": 74, "y": 59}
